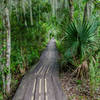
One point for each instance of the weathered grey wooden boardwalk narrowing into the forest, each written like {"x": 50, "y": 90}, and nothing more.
{"x": 42, "y": 83}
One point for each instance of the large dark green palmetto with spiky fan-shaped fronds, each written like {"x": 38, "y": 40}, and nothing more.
{"x": 81, "y": 39}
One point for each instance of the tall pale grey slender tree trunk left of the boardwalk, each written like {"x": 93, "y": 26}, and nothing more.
{"x": 8, "y": 52}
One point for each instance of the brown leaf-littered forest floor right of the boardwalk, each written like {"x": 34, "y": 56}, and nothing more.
{"x": 76, "y": 89}
